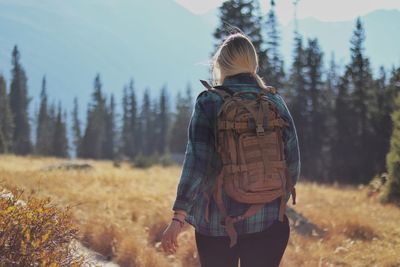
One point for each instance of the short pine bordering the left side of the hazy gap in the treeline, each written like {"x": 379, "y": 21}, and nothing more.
{"x": 60, "y": 141}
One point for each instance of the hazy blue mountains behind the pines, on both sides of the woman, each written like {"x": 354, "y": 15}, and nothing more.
{"x": 155, "y": 42}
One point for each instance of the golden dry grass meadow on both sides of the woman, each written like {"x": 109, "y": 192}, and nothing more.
{"x": 122, "y": 212}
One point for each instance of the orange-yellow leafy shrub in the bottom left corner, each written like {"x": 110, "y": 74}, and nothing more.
{"x": 35, "y": 233}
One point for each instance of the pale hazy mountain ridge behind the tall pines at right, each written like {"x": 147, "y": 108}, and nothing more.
{"x": 382, "y": 39}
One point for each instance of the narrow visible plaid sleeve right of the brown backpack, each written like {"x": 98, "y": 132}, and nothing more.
{"x": 291, "y": 145}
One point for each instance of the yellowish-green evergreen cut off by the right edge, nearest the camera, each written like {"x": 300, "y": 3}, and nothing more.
{"x": 393, "y": 157}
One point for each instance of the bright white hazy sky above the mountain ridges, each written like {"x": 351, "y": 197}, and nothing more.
{"x": 325, "y": 10}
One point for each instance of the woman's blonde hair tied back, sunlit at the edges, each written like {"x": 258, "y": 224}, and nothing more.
{"x": 235, "y": 55}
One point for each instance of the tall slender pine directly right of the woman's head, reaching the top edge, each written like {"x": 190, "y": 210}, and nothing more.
{"x": 276, "y": 74}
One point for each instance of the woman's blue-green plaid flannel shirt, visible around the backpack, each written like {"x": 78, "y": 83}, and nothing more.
{"x": 202, "y": 164}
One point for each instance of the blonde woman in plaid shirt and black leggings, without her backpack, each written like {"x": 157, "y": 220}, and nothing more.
{"x": 262, "y": 238}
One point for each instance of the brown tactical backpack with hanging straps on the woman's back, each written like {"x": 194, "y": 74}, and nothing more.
{"x": 250, "y": 143}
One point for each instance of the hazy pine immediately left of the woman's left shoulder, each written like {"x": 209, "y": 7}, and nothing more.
{"x": 179, "y": 131}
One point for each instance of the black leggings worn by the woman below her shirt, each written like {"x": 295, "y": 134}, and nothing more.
{"x": 262, "y": 249}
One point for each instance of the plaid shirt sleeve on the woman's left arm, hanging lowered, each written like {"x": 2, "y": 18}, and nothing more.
{"x": 198, "y": 153}
